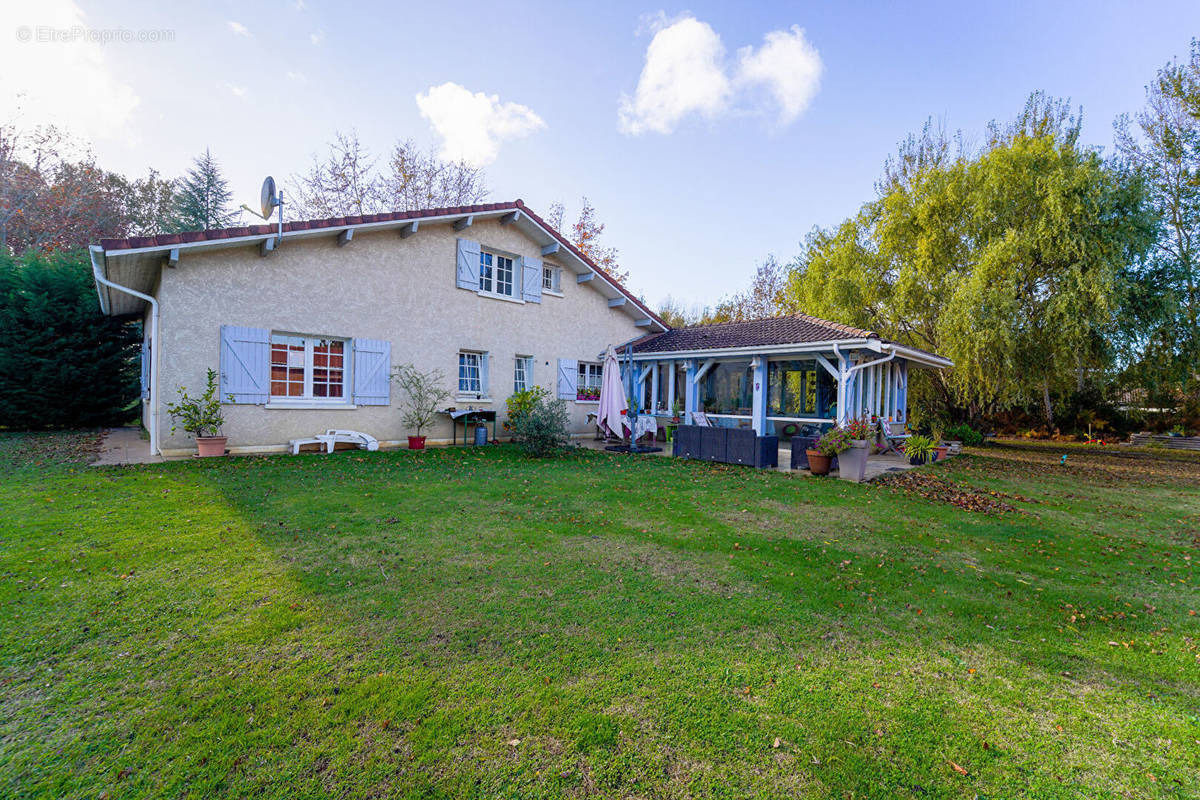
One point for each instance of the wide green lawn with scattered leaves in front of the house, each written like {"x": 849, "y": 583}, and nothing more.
{"x": 470, "y": 623}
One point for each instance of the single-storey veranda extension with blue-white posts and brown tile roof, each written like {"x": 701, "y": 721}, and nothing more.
{"x": 777, "y": 374}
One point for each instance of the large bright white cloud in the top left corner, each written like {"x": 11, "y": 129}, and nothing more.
{"x": 65, "y": 82}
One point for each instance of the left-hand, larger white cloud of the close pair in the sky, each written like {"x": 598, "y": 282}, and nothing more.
{"x": 685, "y": 74}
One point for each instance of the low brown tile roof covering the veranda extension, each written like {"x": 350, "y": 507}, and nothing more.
{"x": 797, "y": 329}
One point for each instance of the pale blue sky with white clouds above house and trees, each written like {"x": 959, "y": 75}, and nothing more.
{"x": 740, "y": 153}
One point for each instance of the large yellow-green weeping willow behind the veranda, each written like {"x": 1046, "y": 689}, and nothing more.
{"x": 1005, "y": 260}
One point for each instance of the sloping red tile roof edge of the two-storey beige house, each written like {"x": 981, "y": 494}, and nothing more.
{"x": 189, "y": 237}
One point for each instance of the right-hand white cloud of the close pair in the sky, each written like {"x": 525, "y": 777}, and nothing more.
{"x": 788, "y": 65}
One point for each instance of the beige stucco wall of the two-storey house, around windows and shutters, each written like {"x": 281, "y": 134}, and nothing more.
{"x": 380, "y": 287}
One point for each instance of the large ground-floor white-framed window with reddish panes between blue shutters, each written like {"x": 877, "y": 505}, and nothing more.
{"x": 309, "y": 368}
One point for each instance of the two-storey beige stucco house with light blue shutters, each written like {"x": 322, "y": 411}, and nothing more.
{"x": 307, "y": 326}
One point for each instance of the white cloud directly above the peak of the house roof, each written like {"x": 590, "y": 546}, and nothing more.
{"x": 473, "y": 125}
